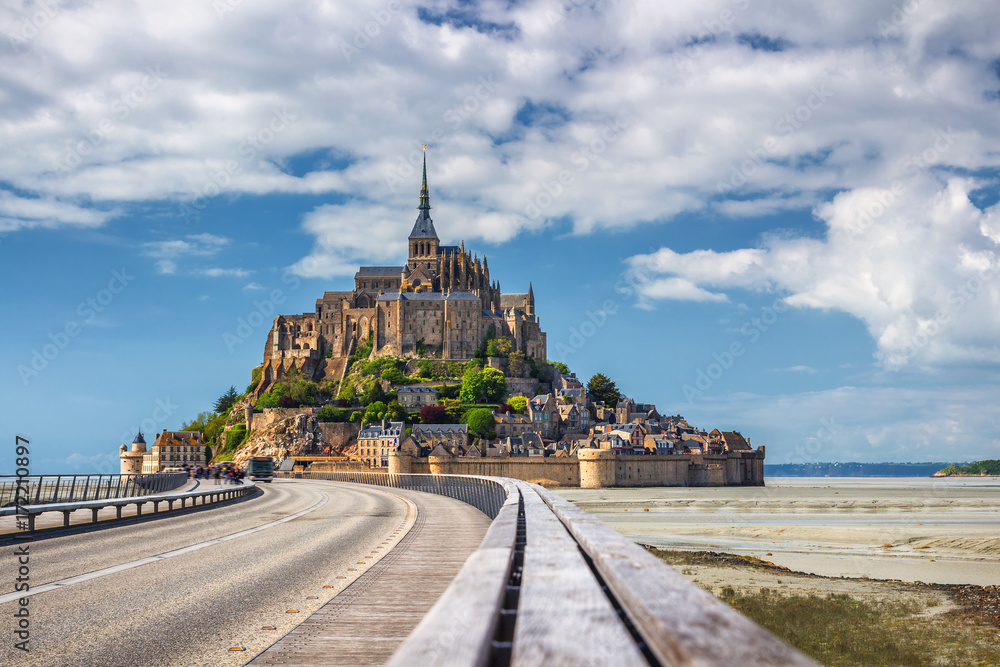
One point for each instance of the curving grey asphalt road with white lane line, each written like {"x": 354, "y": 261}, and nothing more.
{"x": 191, "y": 608}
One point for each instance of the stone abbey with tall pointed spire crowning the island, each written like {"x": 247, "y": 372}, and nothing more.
{"x": 442, "y": 304}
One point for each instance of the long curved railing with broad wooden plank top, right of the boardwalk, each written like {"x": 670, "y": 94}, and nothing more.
{"x": 551, "y": 584}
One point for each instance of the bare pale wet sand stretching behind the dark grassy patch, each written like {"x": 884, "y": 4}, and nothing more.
{"x": 944, "y": 530}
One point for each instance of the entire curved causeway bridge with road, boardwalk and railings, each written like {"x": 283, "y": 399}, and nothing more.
{"x": 351, "y": 568}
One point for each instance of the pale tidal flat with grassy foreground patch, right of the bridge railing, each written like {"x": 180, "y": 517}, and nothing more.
{"x": 833, "y": 565}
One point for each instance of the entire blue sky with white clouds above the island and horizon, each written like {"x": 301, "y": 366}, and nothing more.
{"x": 773, "y": 217}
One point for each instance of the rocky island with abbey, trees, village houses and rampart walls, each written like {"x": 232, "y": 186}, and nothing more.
{"x": 431, "y": 368}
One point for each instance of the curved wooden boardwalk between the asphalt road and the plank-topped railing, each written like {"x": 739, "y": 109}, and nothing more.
{"x": 369, "y": 619}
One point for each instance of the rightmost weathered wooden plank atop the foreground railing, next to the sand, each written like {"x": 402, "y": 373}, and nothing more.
{"x": 681, "y": 623}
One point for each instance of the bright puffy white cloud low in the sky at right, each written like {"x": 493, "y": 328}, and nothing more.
{"x": 916, "y": 262}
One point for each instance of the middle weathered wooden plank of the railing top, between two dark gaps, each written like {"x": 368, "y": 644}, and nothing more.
{"x": 563, "y": 616}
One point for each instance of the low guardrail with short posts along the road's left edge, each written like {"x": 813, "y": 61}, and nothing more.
{"x": 212, "y": 494}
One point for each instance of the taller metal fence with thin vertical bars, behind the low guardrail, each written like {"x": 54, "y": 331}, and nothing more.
{"x": 47, "y": 489}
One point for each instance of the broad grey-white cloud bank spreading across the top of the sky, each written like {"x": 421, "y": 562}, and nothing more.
{"x": 605, "y": 115}
